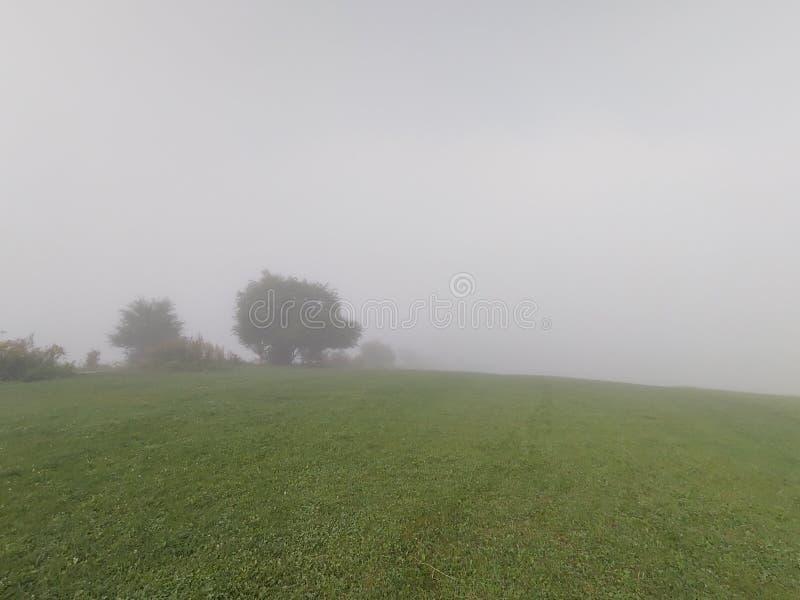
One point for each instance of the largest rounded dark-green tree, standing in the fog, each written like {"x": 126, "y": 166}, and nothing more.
{"x": 280, "y": 318}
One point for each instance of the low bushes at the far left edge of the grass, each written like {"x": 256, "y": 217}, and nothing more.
{"x": 21, "y": 360}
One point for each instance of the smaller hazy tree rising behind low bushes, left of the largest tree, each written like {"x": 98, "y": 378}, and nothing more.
{"x": 145, "y": 325}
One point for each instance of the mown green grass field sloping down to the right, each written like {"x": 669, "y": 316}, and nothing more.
{"x": 319, "y": 483}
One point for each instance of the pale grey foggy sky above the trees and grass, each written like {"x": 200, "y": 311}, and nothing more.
{"x": 630, "y": 166}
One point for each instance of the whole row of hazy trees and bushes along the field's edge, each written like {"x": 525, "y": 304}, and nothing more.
{"x": 282, "y": 320}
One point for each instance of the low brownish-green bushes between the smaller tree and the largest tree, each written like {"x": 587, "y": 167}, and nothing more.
{"x": 187, "y": 354}
